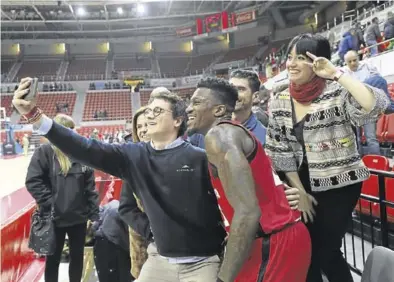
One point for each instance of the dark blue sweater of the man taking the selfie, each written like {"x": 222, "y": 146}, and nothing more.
{"x": 174, "y": 184}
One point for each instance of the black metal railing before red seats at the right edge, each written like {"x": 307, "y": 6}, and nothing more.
{"x": 370, "y": 229}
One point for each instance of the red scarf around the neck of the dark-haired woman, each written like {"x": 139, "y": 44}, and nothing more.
{"x": 309, "y": 91}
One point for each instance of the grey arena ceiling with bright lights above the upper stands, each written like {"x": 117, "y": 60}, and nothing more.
{"x": 51, "y": 19}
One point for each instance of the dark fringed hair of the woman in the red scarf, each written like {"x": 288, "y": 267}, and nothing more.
{"x": 312, "y": 43}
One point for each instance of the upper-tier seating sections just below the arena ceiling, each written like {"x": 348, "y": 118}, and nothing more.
{"x": 81, "y": 68}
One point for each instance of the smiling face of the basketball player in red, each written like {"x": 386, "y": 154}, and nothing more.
{"x": 201, "y": 111}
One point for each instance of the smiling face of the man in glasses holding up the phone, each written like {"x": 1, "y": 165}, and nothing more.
{"x": 160, "y": 120}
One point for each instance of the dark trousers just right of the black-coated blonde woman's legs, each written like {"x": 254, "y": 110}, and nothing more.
{"x": 112, "y": 262}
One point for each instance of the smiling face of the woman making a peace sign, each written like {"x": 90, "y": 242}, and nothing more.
{"x": 299, "y": 72}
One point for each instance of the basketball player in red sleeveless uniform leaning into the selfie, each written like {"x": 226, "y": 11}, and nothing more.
{"x": 267, "y": 241}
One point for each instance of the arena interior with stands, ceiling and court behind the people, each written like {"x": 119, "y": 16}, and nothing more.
{"x": 98, "y": 62}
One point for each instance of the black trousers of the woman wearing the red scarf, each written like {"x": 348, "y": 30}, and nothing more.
{"x": 333, "y": 215}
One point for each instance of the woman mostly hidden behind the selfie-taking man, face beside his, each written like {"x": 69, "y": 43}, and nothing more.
{"x": 138, "y": 242}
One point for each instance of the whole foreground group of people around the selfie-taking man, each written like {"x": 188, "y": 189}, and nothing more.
{"x": 209, "y": 192}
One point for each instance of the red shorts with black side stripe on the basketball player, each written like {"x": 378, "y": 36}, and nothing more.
{"x": 281, "y": 257}
